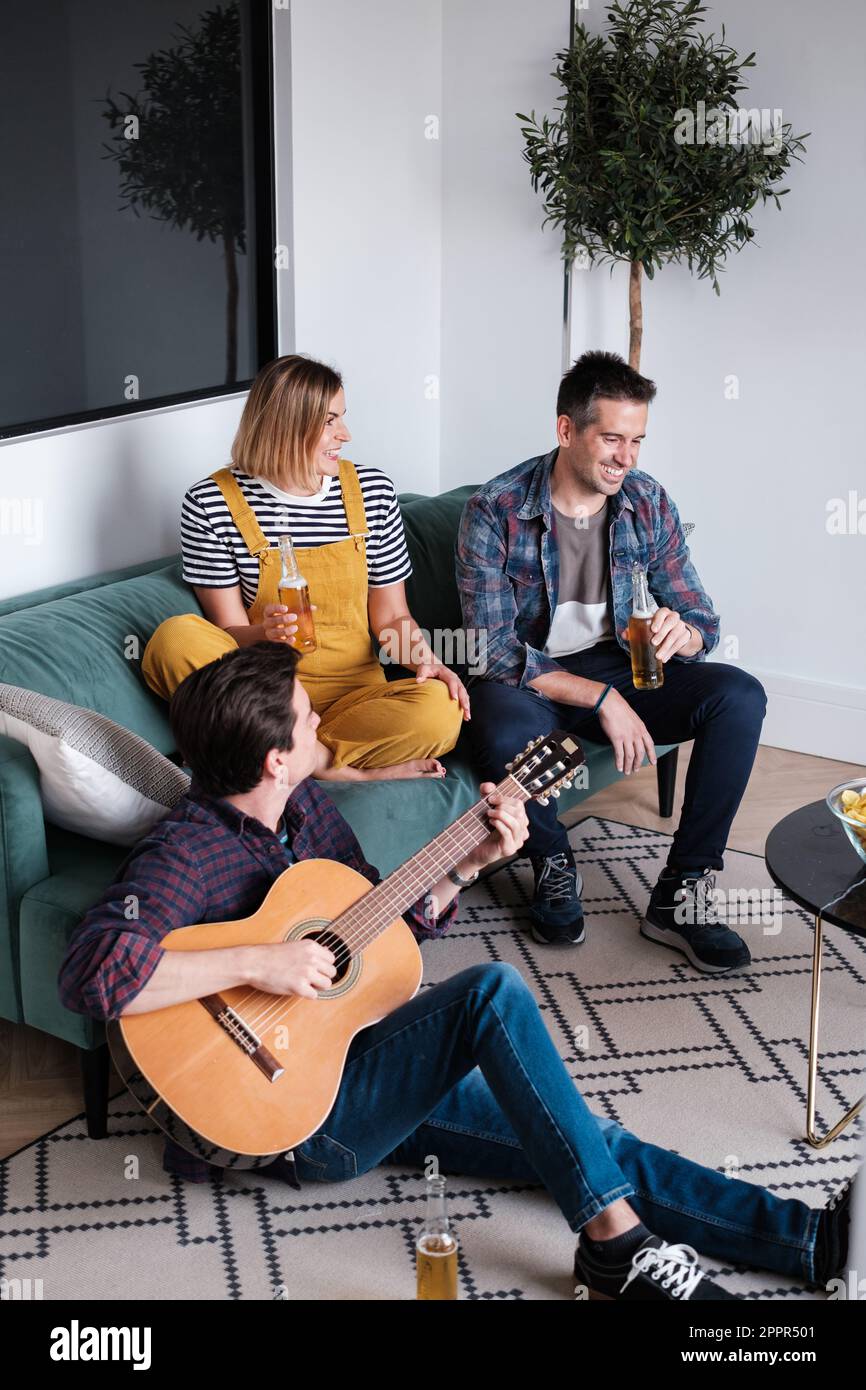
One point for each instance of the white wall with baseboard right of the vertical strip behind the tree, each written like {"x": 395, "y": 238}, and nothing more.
{"x": 757, "y": 473}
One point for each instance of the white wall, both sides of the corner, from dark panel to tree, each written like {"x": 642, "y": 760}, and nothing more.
{"x": 419, "y": 265}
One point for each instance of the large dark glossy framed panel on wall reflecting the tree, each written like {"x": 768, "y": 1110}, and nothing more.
{"x": 137, "y": 238}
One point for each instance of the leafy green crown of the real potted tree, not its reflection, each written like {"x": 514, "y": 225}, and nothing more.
{"x": 610, "y": 166}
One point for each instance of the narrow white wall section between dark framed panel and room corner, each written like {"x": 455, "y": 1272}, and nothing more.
{"x": 368, "y": 220}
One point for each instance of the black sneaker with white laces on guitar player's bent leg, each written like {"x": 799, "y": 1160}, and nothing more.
{"x": 658, "y": 1273}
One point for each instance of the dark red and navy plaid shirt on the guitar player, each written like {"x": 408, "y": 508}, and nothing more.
{"x": 205, "y": 862}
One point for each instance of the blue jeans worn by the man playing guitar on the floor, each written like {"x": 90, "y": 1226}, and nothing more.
{"x": 469, "y": 1072}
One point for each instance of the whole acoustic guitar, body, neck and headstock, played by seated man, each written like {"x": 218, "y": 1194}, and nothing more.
{"x": 243, "y": 1077}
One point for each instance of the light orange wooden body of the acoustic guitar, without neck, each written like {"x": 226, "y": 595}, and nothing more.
{"x": 248, "y": 1074}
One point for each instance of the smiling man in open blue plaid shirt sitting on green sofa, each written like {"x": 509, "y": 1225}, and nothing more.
{"x": 546, "y": 557}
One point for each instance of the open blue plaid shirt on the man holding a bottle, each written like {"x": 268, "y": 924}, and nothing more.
{"x": 508, "y": 566}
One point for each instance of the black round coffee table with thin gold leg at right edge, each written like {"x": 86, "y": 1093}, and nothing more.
{"x": 812, "y": 861}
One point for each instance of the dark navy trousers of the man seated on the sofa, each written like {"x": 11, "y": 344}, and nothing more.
{"x": 721, "y": 707}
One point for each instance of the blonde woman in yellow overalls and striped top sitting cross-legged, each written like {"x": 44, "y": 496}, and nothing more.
{"x": 288, "y": 443}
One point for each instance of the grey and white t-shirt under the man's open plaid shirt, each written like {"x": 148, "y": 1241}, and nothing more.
{"x": 582, "y": 618}
